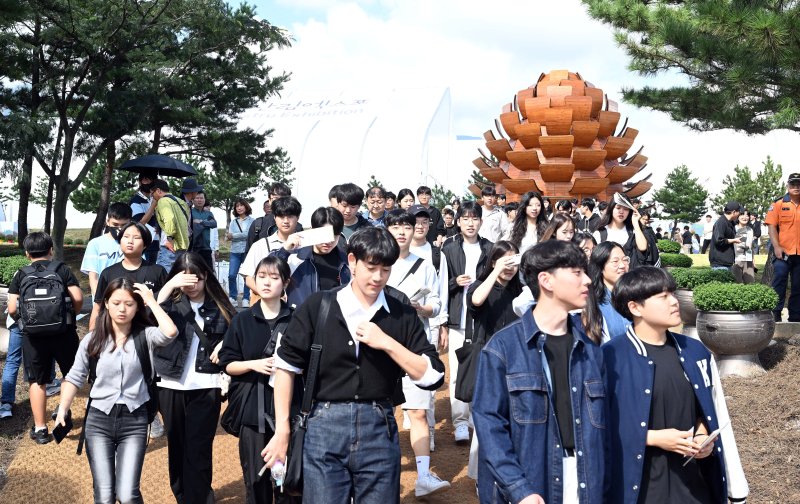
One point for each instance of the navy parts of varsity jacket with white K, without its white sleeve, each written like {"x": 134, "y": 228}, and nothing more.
{"x": 629, "y": 381}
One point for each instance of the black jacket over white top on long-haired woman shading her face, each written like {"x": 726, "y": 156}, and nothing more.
{"x": 170, "y": 359}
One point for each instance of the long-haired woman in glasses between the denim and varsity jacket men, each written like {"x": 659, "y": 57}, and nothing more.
{"x": 607, "y": 264}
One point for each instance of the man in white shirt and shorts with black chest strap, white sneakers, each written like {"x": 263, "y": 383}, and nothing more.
{"x": 411, "y": 274}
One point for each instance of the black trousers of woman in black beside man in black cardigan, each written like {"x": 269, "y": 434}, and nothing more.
{"x": 258, "y": 491}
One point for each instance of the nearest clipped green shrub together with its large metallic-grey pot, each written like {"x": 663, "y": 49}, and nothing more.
{"x": 735, "y": 322}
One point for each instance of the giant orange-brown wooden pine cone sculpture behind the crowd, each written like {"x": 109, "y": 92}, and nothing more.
{"x": 562, "y": 140}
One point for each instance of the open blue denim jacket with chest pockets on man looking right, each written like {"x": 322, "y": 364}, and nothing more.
{"x": 520, "y": 449}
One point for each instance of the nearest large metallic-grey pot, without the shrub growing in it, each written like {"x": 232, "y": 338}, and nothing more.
{"x": 736, "y": 338}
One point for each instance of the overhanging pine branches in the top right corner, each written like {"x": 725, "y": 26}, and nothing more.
{"x": 739, "y": 59}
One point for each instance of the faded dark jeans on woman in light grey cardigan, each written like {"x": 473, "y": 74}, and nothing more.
{"x": 115, "y": 446}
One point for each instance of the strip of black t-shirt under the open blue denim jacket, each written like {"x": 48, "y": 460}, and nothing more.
{"x": 557, "y": 350}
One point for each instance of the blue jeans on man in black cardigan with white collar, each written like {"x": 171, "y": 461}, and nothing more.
{"x": 352, "y": 449}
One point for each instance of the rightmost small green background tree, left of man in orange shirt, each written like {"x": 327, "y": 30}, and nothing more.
{"x": 755, "y": 192}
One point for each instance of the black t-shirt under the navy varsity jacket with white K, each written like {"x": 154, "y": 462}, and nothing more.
{"x": 673, "y": 406}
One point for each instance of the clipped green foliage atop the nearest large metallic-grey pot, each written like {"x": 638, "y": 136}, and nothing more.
{"x": 718, "y": 296}
